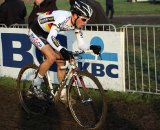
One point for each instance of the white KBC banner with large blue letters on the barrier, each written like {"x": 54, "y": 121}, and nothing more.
{"x": 17, "y": 51}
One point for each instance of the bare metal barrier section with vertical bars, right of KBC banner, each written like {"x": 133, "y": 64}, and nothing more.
{"x": 142, "y": 45}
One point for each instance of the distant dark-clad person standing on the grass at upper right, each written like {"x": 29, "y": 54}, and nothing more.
{"x": 109, "y": 8}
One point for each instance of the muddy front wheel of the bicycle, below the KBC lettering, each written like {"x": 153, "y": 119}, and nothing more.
{"x": 86, "y": 100}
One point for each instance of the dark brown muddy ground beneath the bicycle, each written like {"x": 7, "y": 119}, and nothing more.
{"x": 121, "y": 115}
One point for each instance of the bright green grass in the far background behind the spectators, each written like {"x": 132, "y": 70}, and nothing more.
{"x": 122, "y": 7}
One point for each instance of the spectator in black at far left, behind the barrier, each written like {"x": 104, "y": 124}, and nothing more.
{"x": 12, "y": 12}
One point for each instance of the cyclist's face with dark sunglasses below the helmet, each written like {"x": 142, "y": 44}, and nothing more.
{"x": 81, "y": 22}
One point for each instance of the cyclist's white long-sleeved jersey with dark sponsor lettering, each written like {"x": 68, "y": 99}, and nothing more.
{"x": 53, "y": 22}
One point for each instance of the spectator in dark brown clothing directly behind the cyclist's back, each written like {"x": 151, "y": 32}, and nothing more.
{"x": 41, "y": 6}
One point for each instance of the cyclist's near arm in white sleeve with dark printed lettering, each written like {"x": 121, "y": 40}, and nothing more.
{"x": 52, "y": 38}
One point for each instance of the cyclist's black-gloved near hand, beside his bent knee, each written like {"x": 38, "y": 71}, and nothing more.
{"x": 66, "y": 54}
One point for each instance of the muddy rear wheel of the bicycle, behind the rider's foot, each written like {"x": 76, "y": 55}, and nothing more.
{"x": 29, "y": 102}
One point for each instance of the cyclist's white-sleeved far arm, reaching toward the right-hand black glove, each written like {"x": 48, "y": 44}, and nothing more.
{"x": 81, "y": 44}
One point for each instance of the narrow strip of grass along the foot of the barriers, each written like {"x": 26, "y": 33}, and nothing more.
{"x": 10, "y": 83}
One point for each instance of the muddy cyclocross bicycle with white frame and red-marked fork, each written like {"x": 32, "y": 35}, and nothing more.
{"x": 85, "y": 95}
